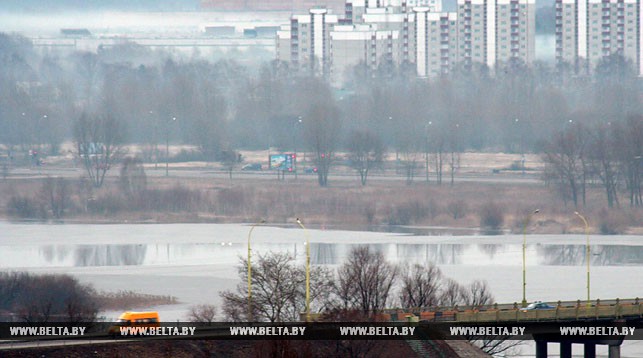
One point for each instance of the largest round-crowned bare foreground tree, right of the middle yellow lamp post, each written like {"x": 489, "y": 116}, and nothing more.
{"x": 365, "y": 280}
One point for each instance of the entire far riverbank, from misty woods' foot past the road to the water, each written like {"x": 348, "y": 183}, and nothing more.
{"x": 490, "y": 194}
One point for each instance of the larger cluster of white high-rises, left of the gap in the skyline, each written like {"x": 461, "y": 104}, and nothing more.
{"x": 415, "y": 34}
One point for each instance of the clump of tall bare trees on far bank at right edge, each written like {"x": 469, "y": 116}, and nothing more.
{"x": 608, "y": 155}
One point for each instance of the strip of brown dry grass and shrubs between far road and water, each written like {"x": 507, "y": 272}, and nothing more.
{"x": 382, "y": 205}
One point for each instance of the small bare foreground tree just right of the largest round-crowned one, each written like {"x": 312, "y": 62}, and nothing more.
{"x": 420, "y": 285}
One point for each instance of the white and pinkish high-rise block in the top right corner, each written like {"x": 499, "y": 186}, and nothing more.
{"x": 590, "y": 30}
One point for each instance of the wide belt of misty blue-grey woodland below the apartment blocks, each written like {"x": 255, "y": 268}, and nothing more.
{"x": 129, "y": 94}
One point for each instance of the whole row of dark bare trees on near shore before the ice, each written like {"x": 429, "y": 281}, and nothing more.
{"x": 359, "y": 290}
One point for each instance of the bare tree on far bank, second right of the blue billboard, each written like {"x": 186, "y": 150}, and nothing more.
{"x": 366, "y": 152}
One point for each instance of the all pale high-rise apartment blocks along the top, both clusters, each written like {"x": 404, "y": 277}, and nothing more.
{"x": 489, "y": 34}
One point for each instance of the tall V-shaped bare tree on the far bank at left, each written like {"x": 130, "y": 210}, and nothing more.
{"x": 98, "y": 142}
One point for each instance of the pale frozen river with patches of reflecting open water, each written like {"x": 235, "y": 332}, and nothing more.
{"x": 194, "y": 262}
